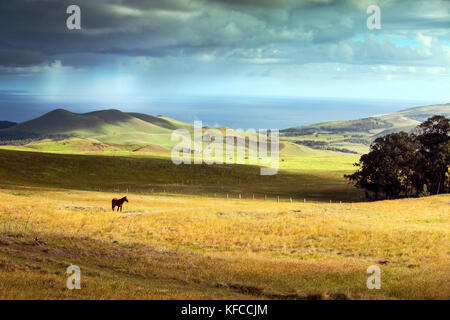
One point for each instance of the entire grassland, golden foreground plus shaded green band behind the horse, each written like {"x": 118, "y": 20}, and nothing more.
{"x": 180, "y": 242}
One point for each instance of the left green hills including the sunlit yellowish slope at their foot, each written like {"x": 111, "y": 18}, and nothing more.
{"x": 99, "y": 131}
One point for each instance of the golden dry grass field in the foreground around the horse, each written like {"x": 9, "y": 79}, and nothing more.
{"x": 181, "y": 247}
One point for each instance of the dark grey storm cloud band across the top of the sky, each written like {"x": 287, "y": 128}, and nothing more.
{"x": 247, "y": 31}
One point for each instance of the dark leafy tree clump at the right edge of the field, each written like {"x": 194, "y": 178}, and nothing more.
{"x": 407, "y": 164}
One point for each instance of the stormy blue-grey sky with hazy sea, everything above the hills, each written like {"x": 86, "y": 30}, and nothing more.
{"x": 188, "y": 58}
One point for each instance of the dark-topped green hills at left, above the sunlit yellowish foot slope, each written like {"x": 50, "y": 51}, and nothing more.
{"x": 107, "y": 126}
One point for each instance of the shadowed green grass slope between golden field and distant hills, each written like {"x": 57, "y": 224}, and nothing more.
{"x": 309, "y": 177}
